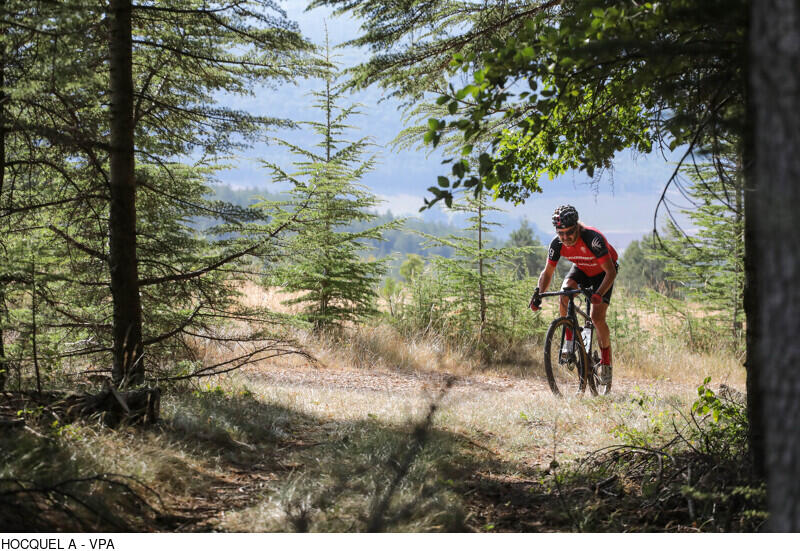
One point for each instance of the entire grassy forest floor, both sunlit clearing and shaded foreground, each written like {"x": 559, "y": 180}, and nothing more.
{"x": 382, "y": 433}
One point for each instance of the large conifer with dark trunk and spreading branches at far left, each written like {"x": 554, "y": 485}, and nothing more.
{"x": 183, "y": 56}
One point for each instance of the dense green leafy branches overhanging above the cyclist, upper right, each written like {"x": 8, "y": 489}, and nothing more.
{"x": 607, "y": 75}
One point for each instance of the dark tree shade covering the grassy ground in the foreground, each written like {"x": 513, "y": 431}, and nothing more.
{"x": 228, "y": 461}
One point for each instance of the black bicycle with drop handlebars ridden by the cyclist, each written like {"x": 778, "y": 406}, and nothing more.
{"x": 562, "y": 366}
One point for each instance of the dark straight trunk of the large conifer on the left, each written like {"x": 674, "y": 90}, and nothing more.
{"x": 128, "y": 366}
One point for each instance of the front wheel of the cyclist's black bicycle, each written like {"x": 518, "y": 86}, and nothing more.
{"x": 566, "y": 373}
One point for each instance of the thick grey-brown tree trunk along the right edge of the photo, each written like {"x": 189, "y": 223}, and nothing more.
{"x": 774, "y": 252}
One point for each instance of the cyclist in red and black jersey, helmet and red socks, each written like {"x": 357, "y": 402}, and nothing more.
{"x": 594, "y": 264}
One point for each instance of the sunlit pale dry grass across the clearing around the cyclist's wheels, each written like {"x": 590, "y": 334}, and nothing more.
{"x": 373, "y": 375}
